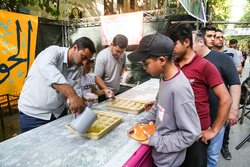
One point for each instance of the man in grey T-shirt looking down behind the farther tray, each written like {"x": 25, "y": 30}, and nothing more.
{"x": 111, "y": 64}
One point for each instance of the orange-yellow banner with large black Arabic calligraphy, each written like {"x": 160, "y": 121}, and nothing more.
{"x": 17, "y": 49}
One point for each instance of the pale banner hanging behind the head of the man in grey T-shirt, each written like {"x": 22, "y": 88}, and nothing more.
{"x": 129, "y": 24}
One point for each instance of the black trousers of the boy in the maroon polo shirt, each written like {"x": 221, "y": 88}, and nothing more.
{"x": 196, "y": 155}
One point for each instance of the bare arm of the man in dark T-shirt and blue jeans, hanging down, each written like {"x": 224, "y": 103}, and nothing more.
{"x": 235, "y": 92}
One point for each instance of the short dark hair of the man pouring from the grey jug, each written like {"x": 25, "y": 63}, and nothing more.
{"x": 83, "y": 43}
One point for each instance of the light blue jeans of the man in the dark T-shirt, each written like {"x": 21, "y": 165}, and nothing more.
{"x": 214, "y": 148}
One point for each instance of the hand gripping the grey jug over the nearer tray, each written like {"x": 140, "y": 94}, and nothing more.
{"x": 76, "y": 104}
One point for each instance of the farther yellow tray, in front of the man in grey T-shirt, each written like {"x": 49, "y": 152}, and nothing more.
{"x": 126, "y": 105}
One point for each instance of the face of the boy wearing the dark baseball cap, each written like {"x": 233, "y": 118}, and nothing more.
{"x": 153, "y": 66}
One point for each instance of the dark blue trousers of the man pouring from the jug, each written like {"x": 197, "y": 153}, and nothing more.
{"x": 27, "y": 122}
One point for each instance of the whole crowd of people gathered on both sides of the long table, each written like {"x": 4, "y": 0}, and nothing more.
{"x": 197, "y": 101}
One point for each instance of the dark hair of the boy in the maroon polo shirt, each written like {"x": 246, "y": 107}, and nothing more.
{"x": 180, "y": 32}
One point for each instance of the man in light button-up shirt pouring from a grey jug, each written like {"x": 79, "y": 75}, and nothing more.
{"x": 52, "y": 79}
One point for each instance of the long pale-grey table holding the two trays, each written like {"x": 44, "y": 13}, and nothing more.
{"x": 52, "y": 145}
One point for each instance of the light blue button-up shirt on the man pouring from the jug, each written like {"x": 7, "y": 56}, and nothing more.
{"x": 38, "y": 98}
